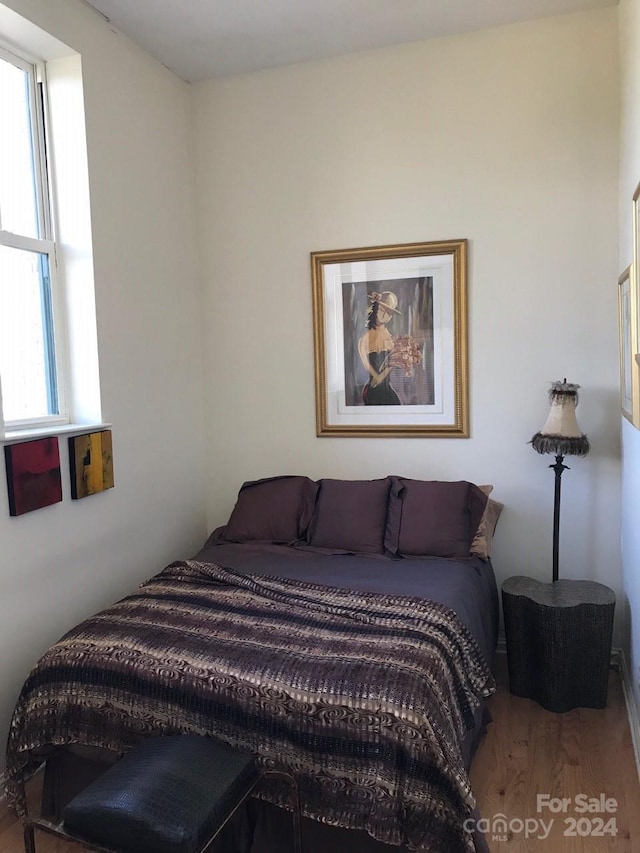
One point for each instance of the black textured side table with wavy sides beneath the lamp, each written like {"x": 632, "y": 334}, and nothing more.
{"x": 558, "y": 641}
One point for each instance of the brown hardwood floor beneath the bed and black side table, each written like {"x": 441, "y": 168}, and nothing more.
{"x": 527, "y": 752}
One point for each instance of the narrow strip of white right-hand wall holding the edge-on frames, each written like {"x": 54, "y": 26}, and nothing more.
{"x": 629, "y": 178}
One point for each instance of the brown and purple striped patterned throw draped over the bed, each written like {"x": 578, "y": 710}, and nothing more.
{"x": 366, "y": 697}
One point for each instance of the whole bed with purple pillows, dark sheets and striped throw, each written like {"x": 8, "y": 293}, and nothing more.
{"x": 318, "y": 629}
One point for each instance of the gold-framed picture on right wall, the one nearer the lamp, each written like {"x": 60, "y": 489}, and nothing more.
{"x": 627, "y": 325}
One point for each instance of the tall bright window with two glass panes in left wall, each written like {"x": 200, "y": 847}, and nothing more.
{"x": 31, "y": 377}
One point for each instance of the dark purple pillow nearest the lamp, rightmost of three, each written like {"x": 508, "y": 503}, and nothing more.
{"x": 433, "y": 518}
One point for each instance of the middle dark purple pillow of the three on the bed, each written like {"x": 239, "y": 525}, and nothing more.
{"x": 350, "y": 515}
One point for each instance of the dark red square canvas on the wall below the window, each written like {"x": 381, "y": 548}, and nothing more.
{"x": 33, "y": 475}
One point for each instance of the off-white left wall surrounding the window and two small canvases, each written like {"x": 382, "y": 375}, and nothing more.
{"x": 60, "y": 564}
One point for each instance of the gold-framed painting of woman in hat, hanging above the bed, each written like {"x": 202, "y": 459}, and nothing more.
{"x": 390, "y": 334}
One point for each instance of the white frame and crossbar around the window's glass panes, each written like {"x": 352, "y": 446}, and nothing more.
{"x": 45, "y": 243}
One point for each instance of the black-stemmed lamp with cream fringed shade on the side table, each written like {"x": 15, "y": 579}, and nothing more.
{"x": 562, "y": 436}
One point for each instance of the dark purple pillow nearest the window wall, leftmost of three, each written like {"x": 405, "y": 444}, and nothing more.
{"x": 277, "y": 509}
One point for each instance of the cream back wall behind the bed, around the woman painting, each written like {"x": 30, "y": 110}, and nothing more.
{"x": 508, "y": 137}
